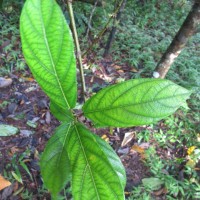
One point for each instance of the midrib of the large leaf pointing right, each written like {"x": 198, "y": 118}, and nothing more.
{"x": 109, "y": 107}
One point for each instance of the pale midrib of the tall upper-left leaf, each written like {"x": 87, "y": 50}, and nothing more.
{"x": 50, "y": 56}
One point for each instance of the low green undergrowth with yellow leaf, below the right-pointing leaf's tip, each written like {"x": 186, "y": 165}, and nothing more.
{"x": 173, "y": 159}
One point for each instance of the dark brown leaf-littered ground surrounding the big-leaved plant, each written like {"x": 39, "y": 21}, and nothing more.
{"x": 25, "y": 106}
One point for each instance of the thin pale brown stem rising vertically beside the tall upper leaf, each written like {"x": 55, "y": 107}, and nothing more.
{"x": 78, "y": 50}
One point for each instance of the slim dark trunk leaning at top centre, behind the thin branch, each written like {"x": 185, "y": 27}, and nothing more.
{"x": 114, "y": 29}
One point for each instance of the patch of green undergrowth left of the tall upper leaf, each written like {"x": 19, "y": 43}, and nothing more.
{"x": 10, "y": 47}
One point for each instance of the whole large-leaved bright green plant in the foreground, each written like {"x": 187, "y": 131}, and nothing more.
{"x": 74, "y": 153}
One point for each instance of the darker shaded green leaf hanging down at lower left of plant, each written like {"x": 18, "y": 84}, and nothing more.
{"x": 54, "y": 163}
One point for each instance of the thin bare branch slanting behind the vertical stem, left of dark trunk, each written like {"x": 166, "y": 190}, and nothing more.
{"x": 101, "y": 33}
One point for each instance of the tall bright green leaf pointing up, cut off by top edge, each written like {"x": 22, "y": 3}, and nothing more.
{"x": 48, "y": 48}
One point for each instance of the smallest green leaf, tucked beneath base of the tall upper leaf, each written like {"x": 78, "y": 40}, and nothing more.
{"x": 62, "y": 114}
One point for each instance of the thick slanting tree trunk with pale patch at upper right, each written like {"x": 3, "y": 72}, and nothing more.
{"x": 186, "y": 31}
